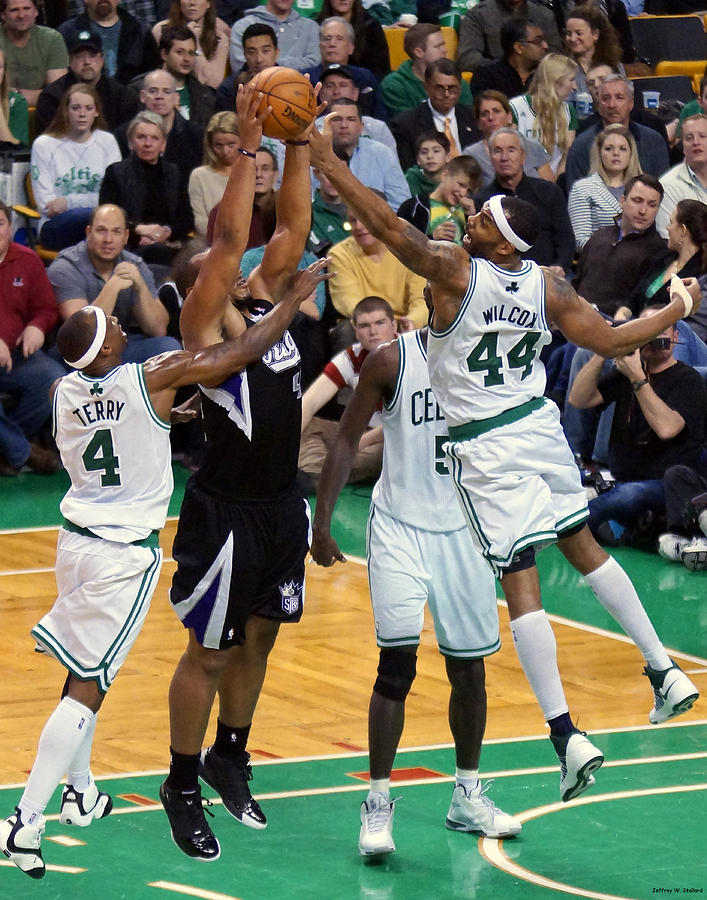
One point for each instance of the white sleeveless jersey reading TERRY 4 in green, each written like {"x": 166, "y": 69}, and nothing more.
{"x": 116, "y": 450}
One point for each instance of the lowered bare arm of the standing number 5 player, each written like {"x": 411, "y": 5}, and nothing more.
{"x": 377, "y": 380}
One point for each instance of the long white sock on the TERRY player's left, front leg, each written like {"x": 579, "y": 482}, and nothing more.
{"x": 58, "y": 745}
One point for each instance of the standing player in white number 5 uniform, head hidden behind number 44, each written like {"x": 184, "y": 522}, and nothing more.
{"x": 419, "y": 550}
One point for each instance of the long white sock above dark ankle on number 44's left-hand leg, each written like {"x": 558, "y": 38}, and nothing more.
{"x": 537, "y": 652}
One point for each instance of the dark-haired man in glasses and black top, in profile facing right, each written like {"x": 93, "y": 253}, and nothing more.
{"x": 523, "y": 45}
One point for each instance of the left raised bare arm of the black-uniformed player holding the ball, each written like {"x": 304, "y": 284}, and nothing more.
{"x": 204, "y": 309}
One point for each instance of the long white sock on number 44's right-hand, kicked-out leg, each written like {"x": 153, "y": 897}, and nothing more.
{"x": 614, "y": 590}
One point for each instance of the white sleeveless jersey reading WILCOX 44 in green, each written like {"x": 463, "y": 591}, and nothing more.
{"x": 488, "y": 360}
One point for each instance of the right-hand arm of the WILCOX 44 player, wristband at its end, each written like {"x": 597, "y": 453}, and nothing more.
{"x": 583, "y": 325}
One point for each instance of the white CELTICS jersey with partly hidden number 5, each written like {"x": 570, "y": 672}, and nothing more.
{"x": 415, "y": 486}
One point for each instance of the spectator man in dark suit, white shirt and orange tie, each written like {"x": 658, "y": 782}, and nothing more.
{"x": 440, "y": 111}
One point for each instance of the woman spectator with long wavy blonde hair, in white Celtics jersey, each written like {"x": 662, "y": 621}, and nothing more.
{"x": 544, "y": 113}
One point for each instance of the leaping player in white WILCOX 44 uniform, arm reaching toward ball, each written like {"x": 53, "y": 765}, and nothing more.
{"x": 514, "y": 472}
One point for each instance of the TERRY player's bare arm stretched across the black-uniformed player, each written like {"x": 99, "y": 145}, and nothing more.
{"x": 212, "y": 365}
